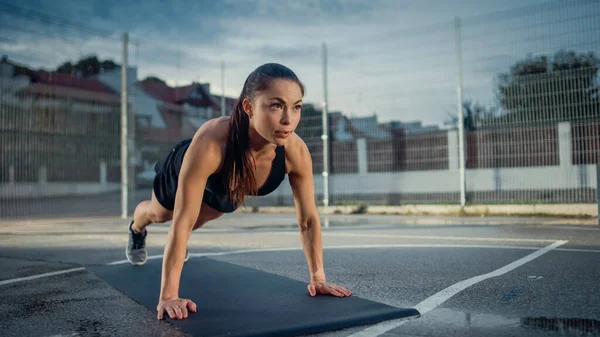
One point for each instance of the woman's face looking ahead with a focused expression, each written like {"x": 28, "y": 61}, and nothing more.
{"x": 275, "y": 111}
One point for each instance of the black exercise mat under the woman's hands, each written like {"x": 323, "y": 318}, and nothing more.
{"x": 238, "y": 301}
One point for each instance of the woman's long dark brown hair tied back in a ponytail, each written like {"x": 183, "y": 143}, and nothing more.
{"x": 239, "y": 163}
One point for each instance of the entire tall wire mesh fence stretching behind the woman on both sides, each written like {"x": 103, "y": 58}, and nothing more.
{"x": 523, "y": 84}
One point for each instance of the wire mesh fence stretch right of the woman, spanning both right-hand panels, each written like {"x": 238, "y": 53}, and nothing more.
{"x": 526, "y": 81}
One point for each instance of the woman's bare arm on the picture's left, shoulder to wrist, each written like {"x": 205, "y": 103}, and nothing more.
{"x": 201, "y": 159}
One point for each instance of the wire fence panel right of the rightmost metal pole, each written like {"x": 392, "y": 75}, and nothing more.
{"x": 535, "y": 139}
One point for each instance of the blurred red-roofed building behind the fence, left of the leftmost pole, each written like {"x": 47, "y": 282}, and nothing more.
{"x": 56, "y": 127}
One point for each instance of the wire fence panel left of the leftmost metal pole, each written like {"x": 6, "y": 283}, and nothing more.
{"x": 60, "y": 127}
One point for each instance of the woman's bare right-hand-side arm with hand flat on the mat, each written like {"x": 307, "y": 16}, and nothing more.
{"x": 309, "y": 223}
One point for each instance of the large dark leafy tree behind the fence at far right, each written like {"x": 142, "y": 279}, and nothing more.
{"x": 537, "y": 89}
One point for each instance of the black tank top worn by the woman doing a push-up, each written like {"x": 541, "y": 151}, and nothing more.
{"x": 215, "y": 193}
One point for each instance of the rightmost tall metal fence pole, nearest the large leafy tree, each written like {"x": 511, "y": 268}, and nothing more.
{"x": 461, "y": 137}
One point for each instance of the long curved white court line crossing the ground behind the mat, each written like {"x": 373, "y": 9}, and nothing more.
{"x": 152, "y": 257}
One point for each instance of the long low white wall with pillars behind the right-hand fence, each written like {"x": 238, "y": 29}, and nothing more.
{"x": 562, "y": 176}
